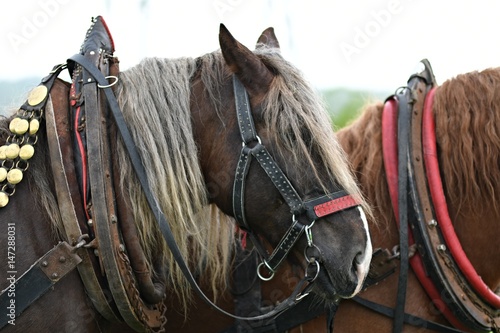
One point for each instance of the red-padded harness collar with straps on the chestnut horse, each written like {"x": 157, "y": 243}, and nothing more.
{"x": 412, "y": 171}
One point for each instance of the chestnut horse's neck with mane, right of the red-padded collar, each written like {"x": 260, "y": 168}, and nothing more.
{"x": 466, "y": 110}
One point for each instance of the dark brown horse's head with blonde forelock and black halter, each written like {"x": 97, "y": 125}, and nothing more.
{"x": 292, "y": 131}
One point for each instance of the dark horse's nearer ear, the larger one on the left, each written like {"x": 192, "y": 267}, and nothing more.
{"x": 251, "y": 71}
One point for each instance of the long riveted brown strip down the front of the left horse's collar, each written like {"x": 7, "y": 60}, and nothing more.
{"x": 114, "y": 257}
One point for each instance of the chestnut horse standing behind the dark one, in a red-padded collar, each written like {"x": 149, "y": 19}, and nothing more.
{"x": 466, "y": 110}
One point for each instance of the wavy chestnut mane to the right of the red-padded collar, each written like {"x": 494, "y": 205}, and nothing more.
{"x": 467, "y": 114}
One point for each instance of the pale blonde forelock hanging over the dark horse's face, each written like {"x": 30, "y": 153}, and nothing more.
{"x": 299, "y": 123}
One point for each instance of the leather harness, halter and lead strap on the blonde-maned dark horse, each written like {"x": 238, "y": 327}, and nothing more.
{"x": 96, "y": 229}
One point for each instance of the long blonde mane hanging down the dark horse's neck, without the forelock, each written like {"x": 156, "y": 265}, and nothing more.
{"x": 155, "y": 101}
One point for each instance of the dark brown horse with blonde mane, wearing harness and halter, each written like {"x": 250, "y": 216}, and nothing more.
{"x": 187, "y": 119}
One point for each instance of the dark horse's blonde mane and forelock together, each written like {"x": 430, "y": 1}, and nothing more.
{"x": 156, "y": 94}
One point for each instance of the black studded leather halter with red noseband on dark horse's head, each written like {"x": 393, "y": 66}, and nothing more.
{"x": 313, "y": 209}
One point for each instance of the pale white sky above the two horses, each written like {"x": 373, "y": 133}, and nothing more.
{"x": 368, "y": 44}
